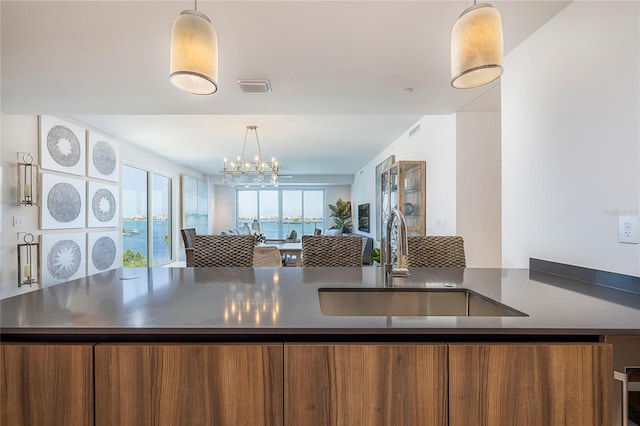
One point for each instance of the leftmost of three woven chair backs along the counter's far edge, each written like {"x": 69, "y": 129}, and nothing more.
{"x": 223, "y": 250}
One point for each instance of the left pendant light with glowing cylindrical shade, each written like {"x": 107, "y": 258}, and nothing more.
{"x": 194, "y": 53}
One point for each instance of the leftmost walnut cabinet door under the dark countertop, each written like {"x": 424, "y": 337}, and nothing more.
{"x": 44, "y": 384}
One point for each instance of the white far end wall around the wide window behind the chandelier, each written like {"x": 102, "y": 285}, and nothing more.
{"x": 225, "y": 203}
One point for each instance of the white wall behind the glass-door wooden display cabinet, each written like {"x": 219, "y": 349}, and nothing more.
{"x": 434, "y": 143}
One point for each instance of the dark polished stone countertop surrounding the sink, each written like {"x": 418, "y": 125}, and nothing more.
{"x": 276, "y": 303}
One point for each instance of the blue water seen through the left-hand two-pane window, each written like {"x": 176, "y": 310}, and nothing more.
{"x": 135, "y": 238}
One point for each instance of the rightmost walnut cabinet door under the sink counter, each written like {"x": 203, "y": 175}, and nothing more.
{"x": 530, "y": 384}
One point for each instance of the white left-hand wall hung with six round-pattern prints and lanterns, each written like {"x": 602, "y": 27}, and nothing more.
{"x": 20, "y": 133}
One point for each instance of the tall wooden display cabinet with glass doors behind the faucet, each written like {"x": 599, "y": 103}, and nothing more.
{"x": 403, "y": 187}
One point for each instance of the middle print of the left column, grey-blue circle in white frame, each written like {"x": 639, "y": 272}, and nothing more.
{"x": 63, "y": 202}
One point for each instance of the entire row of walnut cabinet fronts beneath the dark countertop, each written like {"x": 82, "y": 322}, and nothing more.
{"x": 307, "y": 384}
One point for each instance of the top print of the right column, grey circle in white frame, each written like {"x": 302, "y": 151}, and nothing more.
{"x": 103, "y": 157}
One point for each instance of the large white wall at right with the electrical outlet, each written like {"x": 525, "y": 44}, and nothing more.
{"x": 570, "y": 139}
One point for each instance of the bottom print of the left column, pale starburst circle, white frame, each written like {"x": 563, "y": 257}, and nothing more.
{"x": 63, "y": 257}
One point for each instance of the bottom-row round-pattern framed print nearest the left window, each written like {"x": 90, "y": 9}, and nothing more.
{"x": 104, "y": 251}
